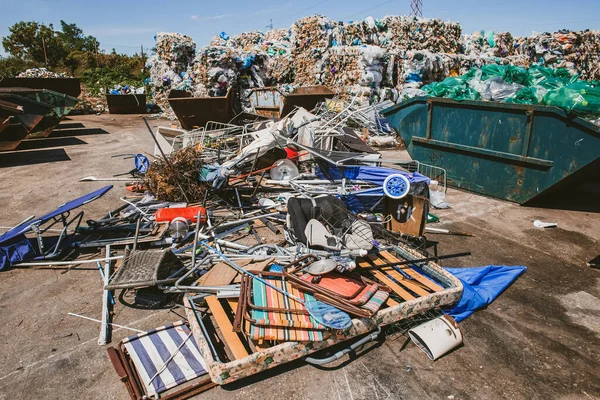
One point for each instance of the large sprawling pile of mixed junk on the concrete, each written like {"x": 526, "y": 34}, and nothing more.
{"x": 277, "y": 239}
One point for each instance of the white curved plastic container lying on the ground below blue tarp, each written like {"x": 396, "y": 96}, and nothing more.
{"x": 437, "y": 337}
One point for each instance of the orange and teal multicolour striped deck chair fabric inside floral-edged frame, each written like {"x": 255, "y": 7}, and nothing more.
{"x": 274, "y": 316}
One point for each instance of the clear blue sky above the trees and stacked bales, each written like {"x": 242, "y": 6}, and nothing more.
{"x": 127, "y": 24}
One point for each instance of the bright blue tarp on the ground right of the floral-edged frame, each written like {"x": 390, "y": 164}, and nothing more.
{"x": 481, "y": 286}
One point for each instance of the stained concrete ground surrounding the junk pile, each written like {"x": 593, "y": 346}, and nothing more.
{"x": 539, "y": 340}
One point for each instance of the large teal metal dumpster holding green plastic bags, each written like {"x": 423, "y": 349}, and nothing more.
{"x": 508, "y": 151}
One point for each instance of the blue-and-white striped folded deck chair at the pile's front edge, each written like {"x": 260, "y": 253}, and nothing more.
{"x": 149, "y": 351}
